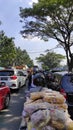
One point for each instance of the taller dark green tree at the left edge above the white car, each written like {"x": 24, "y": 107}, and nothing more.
{"x": 7, "y": 50}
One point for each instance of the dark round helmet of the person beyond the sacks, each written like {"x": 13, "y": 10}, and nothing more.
{"x": 39, "y": 79}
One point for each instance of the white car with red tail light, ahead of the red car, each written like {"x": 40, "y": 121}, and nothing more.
{"x": 14, "y": 78}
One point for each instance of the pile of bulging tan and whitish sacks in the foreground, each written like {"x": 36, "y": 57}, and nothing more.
{"x": 46, "y": 110}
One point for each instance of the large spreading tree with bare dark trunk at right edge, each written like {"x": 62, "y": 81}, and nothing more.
{"x": 51, "y": 19}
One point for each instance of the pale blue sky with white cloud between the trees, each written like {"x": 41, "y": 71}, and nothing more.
{"x": 9, "y": 16}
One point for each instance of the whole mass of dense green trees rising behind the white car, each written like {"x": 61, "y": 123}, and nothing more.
{"x": 11, "y": 55}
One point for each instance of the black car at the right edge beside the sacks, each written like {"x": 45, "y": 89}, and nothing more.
{"x": 65, "y": 83}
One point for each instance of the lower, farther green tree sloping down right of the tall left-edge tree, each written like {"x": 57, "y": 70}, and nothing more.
{"x": 22, "y": 58}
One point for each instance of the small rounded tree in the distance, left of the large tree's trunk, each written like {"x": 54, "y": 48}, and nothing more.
{"x": 50, "y": 60}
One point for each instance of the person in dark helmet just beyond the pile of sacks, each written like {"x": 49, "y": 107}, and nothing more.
{"x": 37, "y": 84}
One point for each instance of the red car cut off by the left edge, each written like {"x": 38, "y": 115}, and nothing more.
{"x": 4, "y": 96}
